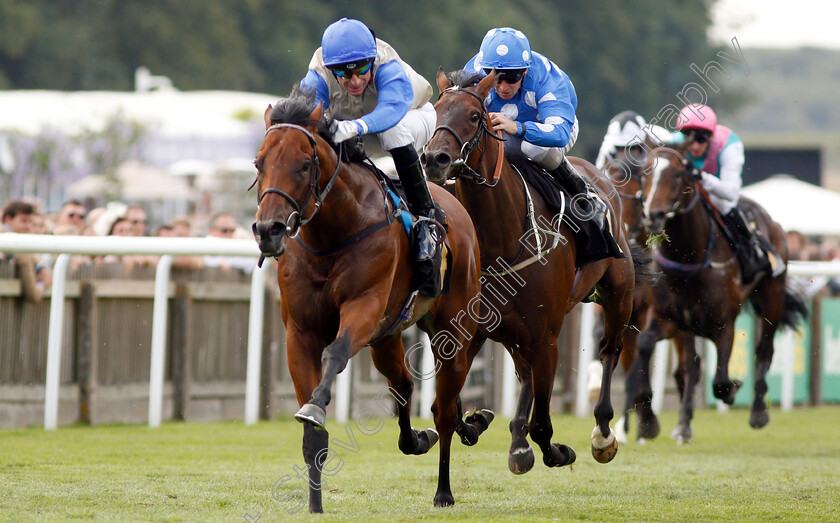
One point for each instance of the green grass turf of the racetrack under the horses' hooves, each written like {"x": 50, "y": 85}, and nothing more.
{"x": 789, "y": 470}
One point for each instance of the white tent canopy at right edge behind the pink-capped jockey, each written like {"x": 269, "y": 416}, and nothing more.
{"x": 797, "y": 205}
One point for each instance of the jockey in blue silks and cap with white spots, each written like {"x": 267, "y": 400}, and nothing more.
{"x": 534, "y": 103}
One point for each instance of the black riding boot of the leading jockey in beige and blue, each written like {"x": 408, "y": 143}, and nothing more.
{"x": 420, "y": 203}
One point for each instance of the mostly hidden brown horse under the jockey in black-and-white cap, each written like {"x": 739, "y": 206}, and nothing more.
{"x": 626, "y": 169}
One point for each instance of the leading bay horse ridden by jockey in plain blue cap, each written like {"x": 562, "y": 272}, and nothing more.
{"x": 346, "y": 278}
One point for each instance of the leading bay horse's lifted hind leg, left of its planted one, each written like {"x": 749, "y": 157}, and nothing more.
{"x": 389, "y": 358}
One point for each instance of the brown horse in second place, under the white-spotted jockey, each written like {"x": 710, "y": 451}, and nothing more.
{"x": 510, "y": 219}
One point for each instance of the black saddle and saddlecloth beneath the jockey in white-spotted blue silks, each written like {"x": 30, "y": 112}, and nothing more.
{"x": 593, "y": 243}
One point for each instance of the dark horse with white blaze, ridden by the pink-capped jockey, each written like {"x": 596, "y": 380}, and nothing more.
{"x": 701, "y": 292}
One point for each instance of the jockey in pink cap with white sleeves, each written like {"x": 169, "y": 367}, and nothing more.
{"x": 716, "y": 156}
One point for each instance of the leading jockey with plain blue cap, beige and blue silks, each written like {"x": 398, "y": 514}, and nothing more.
{"x": 365, "y": 86}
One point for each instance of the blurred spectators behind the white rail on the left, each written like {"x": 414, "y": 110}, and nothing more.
{"x": 26, "y": 216}
